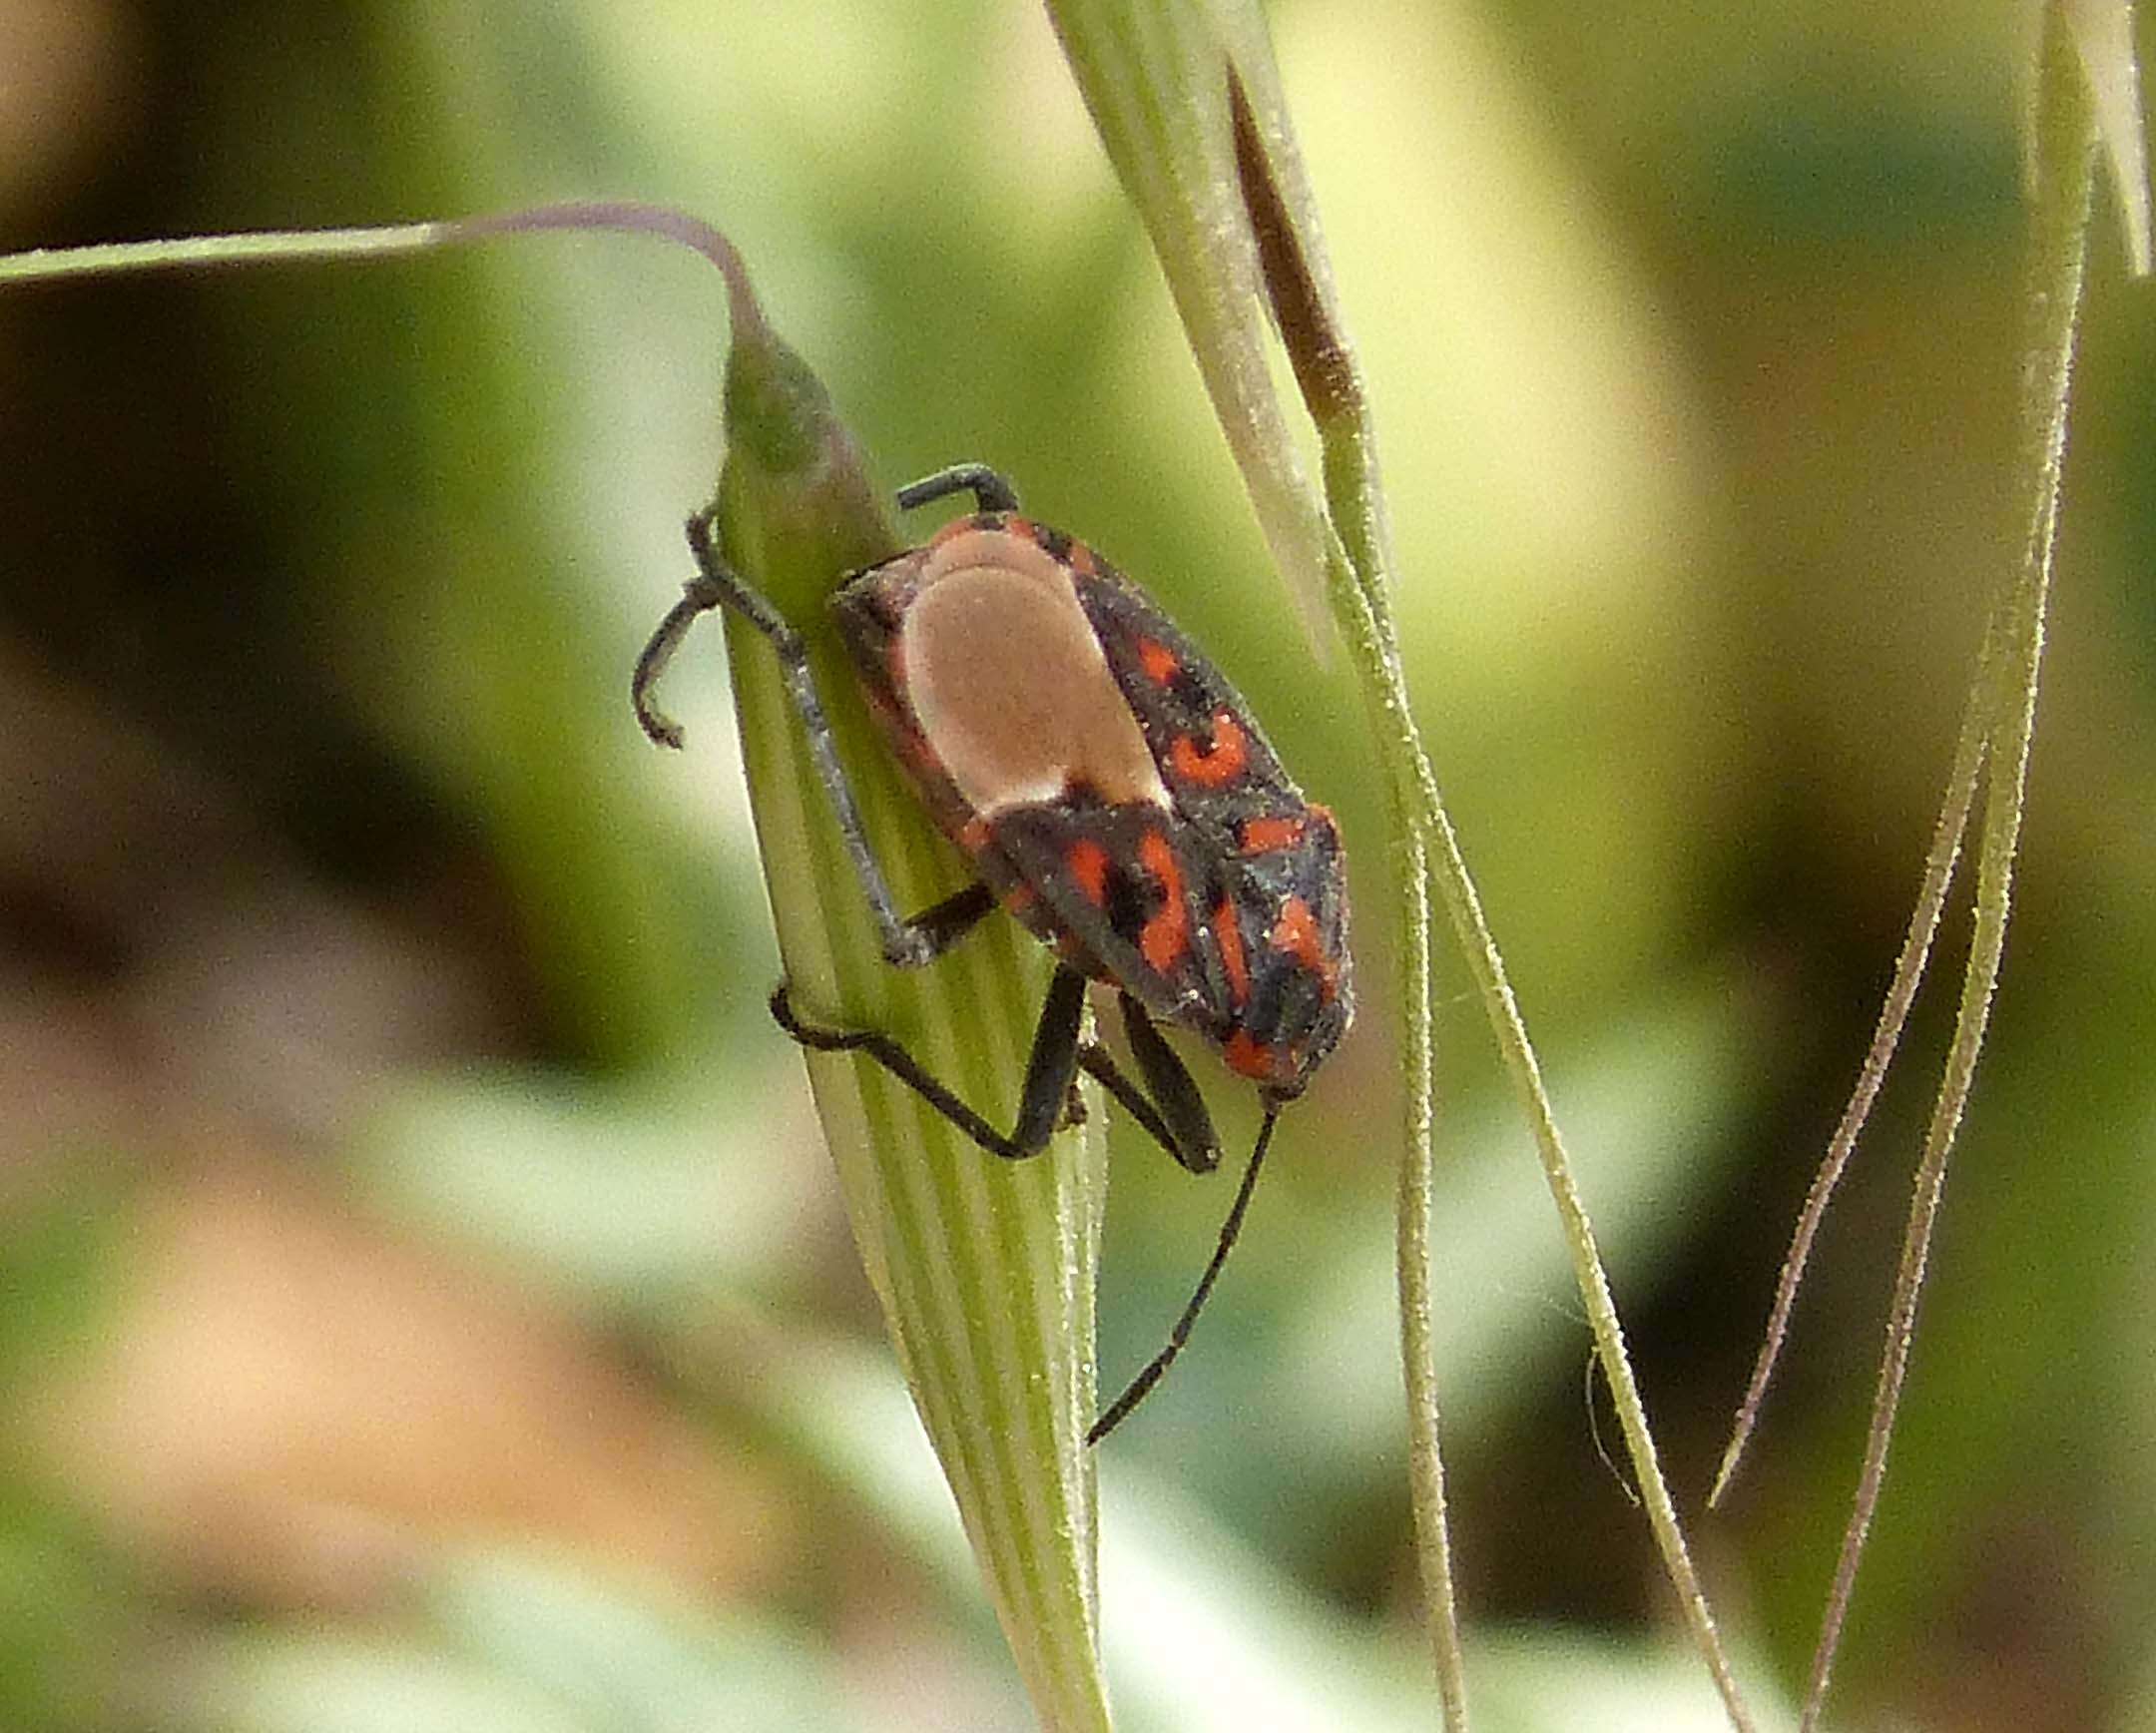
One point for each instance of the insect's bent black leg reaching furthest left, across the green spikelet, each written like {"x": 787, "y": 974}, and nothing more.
{"x": 719, "y": 587}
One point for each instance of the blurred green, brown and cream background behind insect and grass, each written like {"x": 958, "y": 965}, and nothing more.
{"x": 426, "y": 1303}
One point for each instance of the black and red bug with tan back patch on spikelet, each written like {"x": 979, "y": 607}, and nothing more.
{"x": 1111, "y": 790}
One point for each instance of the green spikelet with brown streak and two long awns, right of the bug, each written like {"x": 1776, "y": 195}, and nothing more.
{"x": 1189, "y": 107}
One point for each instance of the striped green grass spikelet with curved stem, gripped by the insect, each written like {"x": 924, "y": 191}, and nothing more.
{"x": 984, "y": 1268}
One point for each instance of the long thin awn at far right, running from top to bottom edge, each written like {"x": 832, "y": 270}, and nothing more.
{"x": 2062, "y": 195}
